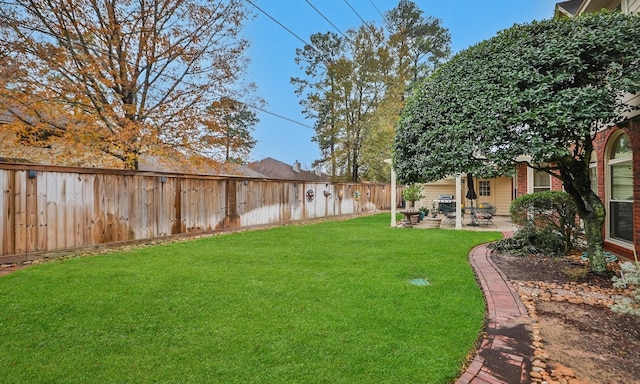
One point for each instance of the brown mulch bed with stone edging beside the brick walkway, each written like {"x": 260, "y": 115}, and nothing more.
{"x": 577, "y": 331}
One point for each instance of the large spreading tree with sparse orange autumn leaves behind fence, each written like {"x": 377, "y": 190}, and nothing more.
{"x": 123, "y": 76}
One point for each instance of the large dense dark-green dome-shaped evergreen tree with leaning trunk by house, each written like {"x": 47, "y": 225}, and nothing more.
{"x": 542, "y": 90}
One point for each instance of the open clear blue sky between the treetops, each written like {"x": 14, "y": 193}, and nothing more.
{"x": 272, "y": 53}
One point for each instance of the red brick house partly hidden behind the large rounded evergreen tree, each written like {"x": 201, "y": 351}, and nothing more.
{"x": 615, "y": 162}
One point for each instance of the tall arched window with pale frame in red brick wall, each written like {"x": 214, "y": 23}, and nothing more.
{"x": 620, "y": 189}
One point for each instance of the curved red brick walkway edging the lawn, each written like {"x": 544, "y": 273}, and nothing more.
{"x": 504, "y": 355}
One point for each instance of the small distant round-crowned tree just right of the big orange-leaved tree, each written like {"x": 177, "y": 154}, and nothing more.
{"x": 228, "y": 130}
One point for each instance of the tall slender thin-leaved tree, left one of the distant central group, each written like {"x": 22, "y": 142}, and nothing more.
{"x": 345, "y": 82}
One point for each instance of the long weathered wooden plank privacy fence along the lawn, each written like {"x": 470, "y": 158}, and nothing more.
{"x": 48, "y": 209}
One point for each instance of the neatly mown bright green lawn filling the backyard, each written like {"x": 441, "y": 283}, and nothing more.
{"x": 322, "y": 303}
